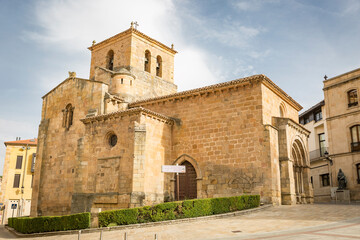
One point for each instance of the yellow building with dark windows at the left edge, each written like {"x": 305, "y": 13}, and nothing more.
{"x": 18, "y": 176}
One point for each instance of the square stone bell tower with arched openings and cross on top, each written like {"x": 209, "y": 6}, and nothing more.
{"x": 133, "y": 65}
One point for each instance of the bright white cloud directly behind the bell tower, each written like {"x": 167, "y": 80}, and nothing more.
{"x": 70, "y": 26}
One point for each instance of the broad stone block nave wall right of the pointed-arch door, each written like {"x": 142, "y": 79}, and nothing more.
{"x": 223, "y": 133}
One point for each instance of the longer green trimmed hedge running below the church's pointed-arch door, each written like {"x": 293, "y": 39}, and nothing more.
{"x": 176, "y": 210}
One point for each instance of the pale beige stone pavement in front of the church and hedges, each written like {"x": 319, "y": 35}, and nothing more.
{"x": 318, "y": 221}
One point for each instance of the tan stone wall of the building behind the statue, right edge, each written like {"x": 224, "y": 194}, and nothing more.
{"x": 340, "y": 117}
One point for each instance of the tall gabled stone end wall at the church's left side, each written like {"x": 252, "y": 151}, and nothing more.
{"x": 60, "y": 149}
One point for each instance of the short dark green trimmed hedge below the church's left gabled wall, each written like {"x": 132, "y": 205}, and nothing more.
{"x": 49, "y": 224}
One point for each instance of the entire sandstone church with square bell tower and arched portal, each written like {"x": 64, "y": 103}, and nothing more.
{"x": 102, "y": 141}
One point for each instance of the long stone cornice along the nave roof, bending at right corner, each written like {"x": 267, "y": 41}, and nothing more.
{"x": 221, "y": 86}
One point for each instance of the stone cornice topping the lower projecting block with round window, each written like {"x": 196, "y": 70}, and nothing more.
{"x": 132, "y": 111}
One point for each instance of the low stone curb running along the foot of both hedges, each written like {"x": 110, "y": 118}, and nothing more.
{"x": 139, "y": 225}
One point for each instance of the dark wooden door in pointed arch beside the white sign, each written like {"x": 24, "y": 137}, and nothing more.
{"x": 187, "y": 183}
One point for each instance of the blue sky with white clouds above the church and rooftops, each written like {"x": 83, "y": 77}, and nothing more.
{"x": 293, "y": 42}
